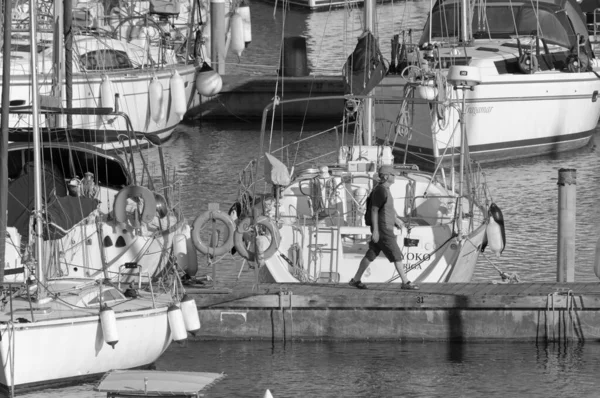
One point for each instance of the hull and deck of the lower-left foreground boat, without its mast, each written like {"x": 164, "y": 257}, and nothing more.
{"x": 61, "y": 336}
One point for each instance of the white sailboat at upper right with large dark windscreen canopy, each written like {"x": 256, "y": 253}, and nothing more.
{"x": 539, "y": 82}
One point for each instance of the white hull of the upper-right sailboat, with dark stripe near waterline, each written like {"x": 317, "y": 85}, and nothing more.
{"x": 507, "y": 117}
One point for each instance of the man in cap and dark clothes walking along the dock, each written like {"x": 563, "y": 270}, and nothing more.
{"x": 383, "y": 219}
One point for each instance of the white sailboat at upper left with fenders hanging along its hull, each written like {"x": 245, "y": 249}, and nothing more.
{"x": 138, "y": 57}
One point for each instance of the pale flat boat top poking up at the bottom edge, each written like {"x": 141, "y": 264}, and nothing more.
{"x": 154, "y": 383}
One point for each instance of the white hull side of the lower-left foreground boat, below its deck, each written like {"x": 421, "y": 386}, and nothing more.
{"x": 36, "y": 353}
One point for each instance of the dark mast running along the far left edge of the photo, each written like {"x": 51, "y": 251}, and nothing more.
{"x": 4, "y": 137}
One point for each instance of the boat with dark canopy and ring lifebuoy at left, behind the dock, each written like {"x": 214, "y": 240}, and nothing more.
{"x": 104, "y": 214}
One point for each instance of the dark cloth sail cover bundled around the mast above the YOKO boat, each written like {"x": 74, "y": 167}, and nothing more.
{"x": 365, "y": 67}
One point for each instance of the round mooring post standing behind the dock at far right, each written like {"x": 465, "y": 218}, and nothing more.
{"x": 567, "y": 181}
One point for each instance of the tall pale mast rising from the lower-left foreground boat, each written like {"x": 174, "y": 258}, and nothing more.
{"x": 37, "y": 158}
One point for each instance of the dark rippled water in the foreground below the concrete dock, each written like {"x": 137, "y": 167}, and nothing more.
{"x": 382, "y": 369}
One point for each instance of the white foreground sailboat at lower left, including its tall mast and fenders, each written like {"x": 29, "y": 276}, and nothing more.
{"x": 56, "y": 328}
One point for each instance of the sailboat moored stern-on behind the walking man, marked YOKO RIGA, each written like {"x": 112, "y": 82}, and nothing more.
{"x": 306, "y": 224}
